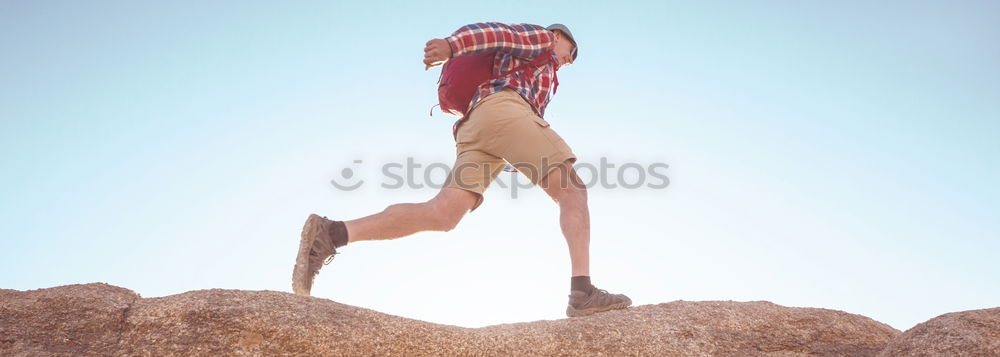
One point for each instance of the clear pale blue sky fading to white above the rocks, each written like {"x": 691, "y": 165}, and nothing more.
{"x": 822, "y": 154}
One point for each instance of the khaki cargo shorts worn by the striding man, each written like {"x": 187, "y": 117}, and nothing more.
{"x": 502, "y": 128}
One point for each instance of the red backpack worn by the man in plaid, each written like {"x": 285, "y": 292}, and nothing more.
{"x": 462, "y": 76}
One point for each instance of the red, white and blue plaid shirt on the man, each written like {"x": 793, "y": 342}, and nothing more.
{"x": 515, "y": 45}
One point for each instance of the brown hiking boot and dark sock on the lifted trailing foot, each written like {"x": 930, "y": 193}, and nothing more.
{"x": 316, "y": 249}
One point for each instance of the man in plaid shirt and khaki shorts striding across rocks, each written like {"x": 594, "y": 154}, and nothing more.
{"x": 504, "y": 124}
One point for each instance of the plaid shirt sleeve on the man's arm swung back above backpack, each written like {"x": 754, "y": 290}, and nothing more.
{"x": 519, "y": 40}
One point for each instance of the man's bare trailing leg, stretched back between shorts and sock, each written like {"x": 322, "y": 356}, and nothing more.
{"x": 441, "y": 213}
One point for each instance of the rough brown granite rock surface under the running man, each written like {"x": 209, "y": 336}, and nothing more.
{"x": 100, "y": 319}
